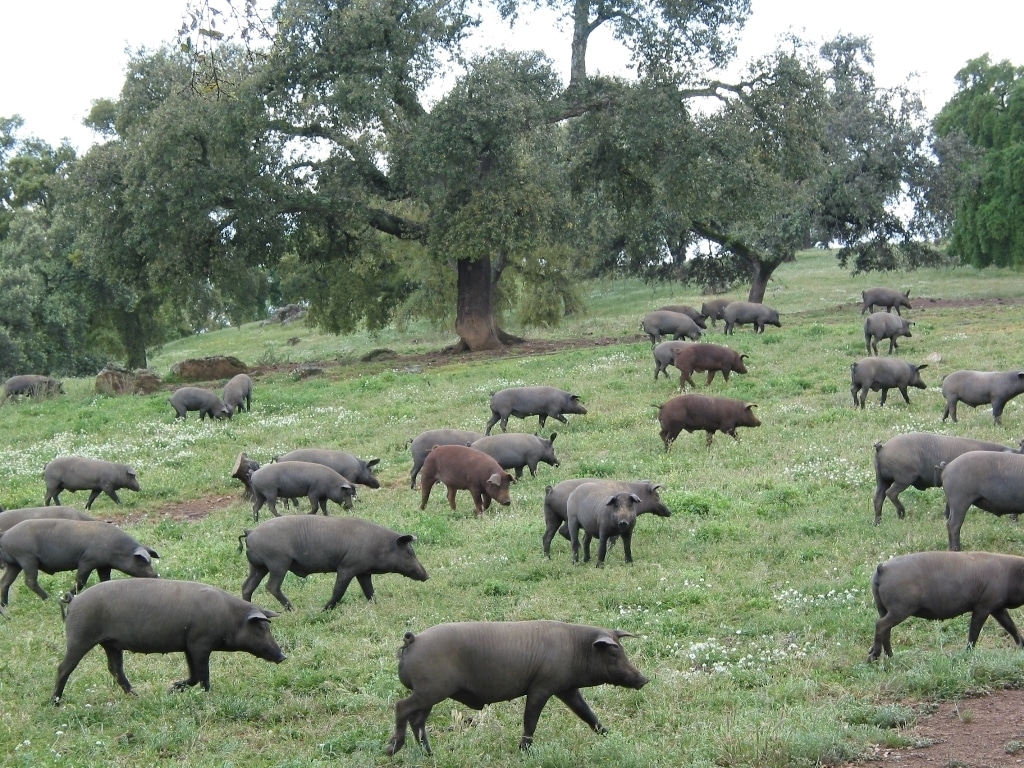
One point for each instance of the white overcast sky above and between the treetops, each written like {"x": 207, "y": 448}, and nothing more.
{"x": 59, "y": 56}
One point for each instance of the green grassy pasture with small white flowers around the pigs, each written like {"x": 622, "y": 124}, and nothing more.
{"x": 751, "y": 606}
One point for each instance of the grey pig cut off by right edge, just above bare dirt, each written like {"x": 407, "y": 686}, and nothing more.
{"x": 944, "y": 585}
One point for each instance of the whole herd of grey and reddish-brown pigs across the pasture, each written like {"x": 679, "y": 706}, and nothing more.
{"x": 479, "y": 663}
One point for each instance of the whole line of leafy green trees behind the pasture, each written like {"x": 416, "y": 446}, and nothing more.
{"x": 332, "y": 159}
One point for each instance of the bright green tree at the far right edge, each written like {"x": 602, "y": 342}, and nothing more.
{"x": 982, "y": 151}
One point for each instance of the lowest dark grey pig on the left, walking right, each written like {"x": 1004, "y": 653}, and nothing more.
{"x": 163, "y": 617}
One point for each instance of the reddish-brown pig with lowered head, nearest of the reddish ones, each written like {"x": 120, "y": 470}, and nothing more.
{"x": 463, "y": 468}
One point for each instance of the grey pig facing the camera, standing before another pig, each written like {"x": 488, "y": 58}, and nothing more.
{"x": 603, "y": 510}
